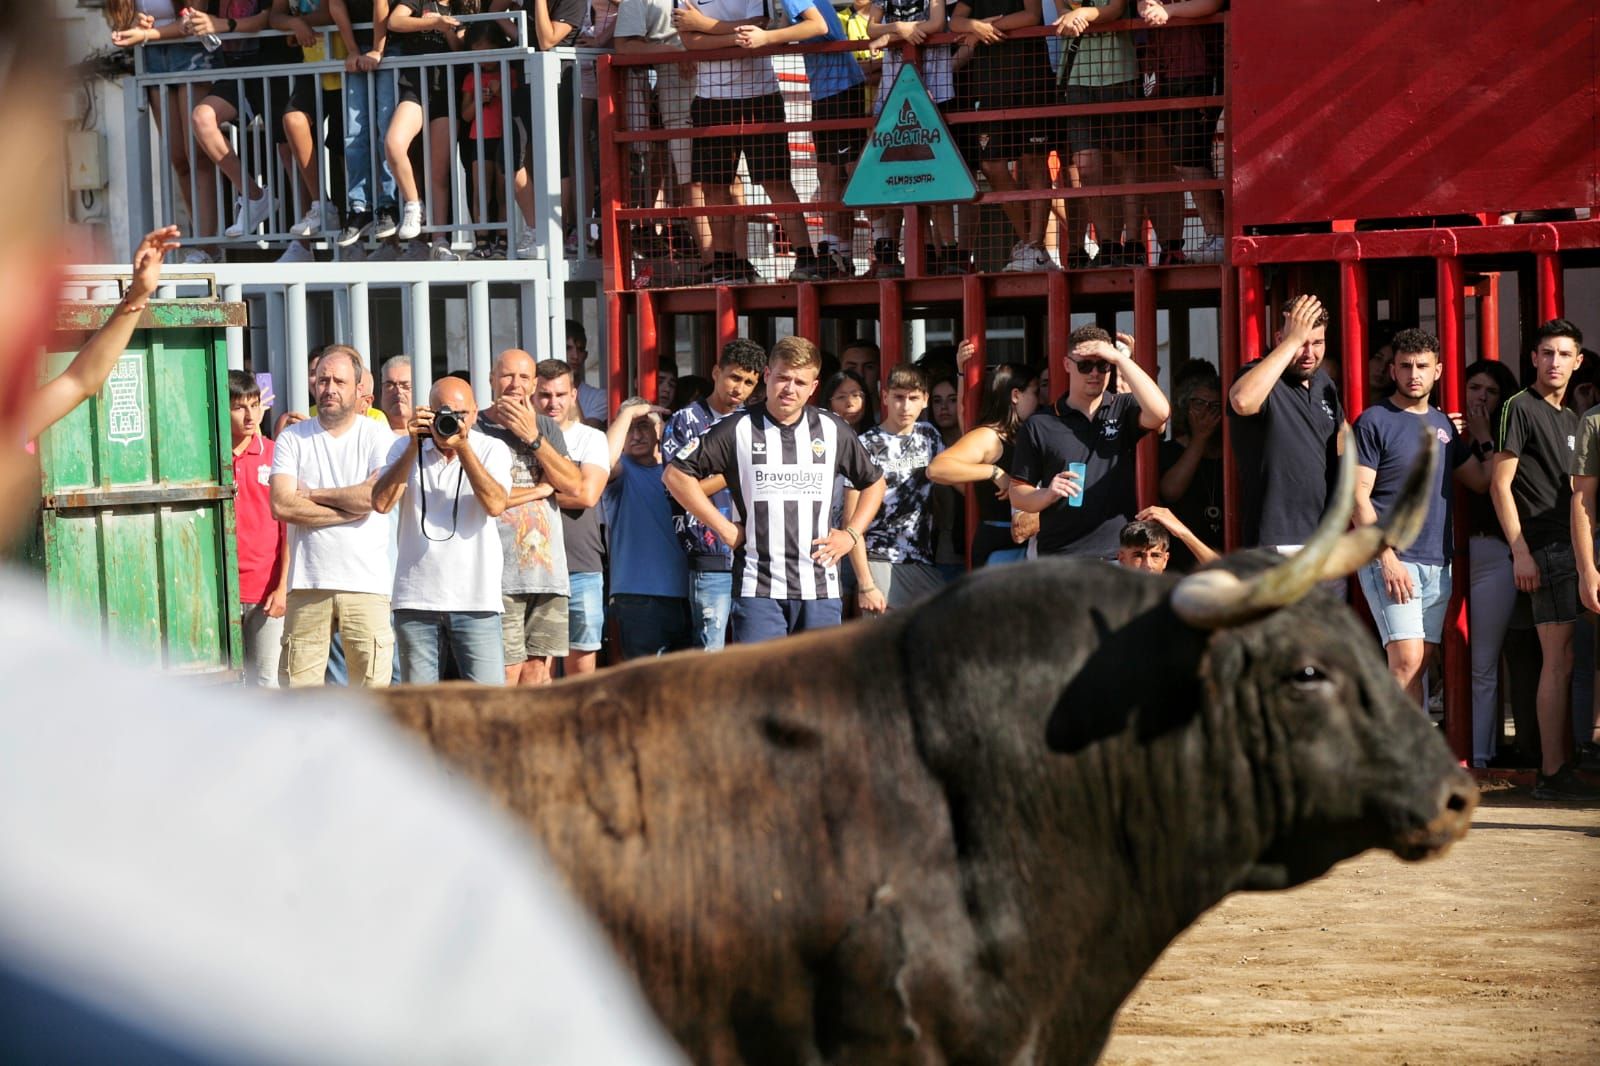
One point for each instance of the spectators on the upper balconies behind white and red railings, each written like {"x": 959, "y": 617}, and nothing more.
{"x": 407, "y": 114}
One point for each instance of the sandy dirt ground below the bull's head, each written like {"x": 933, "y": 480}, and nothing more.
{"x": 1490, "y": 955}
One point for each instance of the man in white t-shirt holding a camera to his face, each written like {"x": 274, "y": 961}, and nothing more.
{"x": 452, "y": 483}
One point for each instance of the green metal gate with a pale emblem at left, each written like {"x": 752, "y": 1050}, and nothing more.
{"x": 137, "y": 526}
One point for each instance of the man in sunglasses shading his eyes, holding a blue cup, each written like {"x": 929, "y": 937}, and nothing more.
{"x": 1098, "y": 430}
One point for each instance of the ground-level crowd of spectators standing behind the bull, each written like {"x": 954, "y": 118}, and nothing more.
{"x": 532, "y": 540}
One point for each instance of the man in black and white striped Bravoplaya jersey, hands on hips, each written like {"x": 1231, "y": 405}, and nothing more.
{"x": 782, "y": 462}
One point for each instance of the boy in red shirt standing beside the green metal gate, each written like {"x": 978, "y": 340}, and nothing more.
{"x": 263, "y": 571}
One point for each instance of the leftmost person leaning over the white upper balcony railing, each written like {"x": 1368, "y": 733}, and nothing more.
{"x": 142, "y": 23}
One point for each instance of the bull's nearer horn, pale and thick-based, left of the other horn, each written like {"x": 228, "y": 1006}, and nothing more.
{"x": 1217, "y": 599}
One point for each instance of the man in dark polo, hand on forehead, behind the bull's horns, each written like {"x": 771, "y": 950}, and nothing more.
{"x": 1289, "y": 431}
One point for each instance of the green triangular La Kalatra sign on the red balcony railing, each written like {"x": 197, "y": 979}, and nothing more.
{"x": 911, "y": 156}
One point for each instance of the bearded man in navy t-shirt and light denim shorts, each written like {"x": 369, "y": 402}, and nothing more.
{"x": 1410, "y": 590}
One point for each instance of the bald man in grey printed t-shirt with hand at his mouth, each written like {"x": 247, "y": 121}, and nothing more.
{"x": 534, "y": 580}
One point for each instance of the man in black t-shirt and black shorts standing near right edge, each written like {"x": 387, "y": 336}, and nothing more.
{"x": 1532, "y": 492}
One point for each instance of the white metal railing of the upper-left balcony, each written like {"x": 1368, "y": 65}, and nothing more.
{"x": 535, "y": 106}
